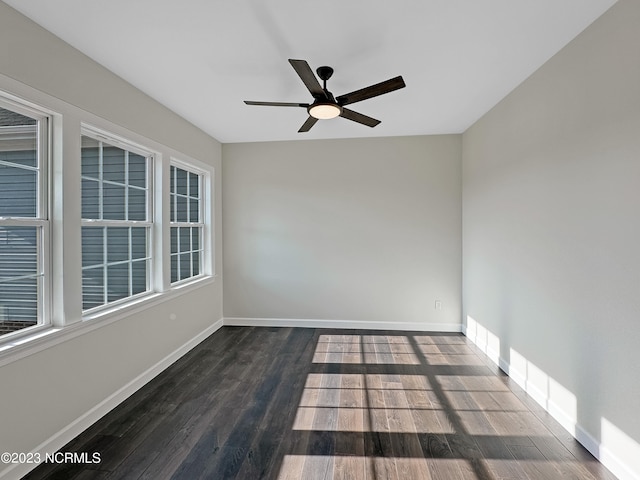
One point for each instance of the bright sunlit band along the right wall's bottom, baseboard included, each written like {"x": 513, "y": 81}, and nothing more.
{"x": 612, "y": 446}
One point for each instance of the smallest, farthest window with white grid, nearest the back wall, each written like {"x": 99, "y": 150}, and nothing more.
{"x": 187, "y": 223}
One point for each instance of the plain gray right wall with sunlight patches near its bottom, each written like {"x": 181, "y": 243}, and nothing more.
{"x": 551, "y": 233}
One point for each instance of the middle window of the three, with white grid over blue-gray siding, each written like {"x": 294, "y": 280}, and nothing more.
{"x": 116, "y": 221}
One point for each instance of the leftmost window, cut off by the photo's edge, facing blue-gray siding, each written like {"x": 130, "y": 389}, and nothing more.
{"x": 23, "y": 218}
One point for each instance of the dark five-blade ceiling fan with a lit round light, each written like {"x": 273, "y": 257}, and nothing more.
{"x": 325, "y": 105}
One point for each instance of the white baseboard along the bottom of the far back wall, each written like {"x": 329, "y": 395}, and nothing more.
{"x": 351, "y": 324}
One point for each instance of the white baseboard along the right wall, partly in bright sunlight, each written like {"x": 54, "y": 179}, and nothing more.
{"x": 593, "y": 445}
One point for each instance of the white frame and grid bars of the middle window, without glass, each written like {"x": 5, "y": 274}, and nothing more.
{"x": 113, "y": 140}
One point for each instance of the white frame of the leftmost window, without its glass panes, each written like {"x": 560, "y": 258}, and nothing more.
{"x": 41, "y": 221}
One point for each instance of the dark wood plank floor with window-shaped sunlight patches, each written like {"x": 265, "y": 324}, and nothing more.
{"x": 284, "y": 403}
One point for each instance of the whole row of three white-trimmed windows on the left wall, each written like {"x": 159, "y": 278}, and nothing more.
{"x": 114, "y": 225}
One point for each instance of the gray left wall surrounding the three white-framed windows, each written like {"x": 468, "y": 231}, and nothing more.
{"x": 45, "y": 392}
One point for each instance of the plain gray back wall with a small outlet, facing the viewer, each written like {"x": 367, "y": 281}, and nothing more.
{"x": 364, "y": 230}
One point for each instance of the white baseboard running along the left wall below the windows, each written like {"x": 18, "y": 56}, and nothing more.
{"x": 68, "y": 433}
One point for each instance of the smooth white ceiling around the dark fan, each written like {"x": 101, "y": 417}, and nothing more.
{"x": 202, "y": 58}
